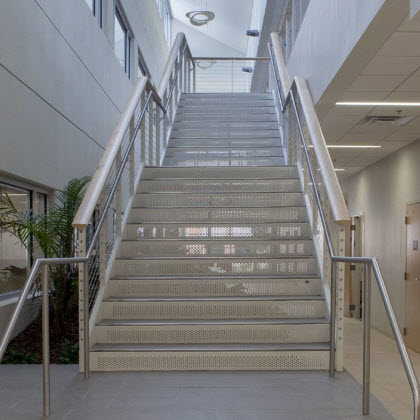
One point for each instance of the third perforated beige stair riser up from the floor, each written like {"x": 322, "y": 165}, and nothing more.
{"x": 215, "y": 309}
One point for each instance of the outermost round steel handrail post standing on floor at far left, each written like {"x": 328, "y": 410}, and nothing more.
{"x": 46, "y": 340}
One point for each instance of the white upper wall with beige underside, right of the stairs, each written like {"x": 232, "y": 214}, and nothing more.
{"x": 336, "y": 41}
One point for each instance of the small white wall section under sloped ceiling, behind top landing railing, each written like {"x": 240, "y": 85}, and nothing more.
{"x": 202, "y": 45}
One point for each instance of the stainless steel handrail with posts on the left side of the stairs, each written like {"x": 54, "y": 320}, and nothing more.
{"x": 46, "y": 262}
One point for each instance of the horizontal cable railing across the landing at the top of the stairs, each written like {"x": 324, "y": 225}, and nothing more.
{"x": 229, "y": 74}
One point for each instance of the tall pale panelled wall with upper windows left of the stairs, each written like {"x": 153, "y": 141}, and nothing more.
{"x": 62, "y": 88}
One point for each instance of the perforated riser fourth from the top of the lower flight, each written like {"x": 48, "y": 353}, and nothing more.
{"x": 229, "y": 214}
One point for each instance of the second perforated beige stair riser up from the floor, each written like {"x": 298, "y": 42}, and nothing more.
{"x": 212, "y": 334}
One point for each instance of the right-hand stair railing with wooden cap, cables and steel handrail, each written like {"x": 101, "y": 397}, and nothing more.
{"x": 305, "y": 147}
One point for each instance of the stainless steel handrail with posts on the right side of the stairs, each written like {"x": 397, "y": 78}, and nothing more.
{"x": 370, "y": 263}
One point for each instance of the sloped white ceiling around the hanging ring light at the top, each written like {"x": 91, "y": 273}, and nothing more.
{"x": 229, "y": 25}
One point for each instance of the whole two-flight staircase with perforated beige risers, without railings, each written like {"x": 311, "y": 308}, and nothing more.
{"x": 216, "y": 270}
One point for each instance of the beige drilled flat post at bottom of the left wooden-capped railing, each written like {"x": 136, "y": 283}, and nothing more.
{"x": 83, "y": 273}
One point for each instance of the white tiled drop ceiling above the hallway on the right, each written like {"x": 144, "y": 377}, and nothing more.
{"x": 392, "y": 75}
